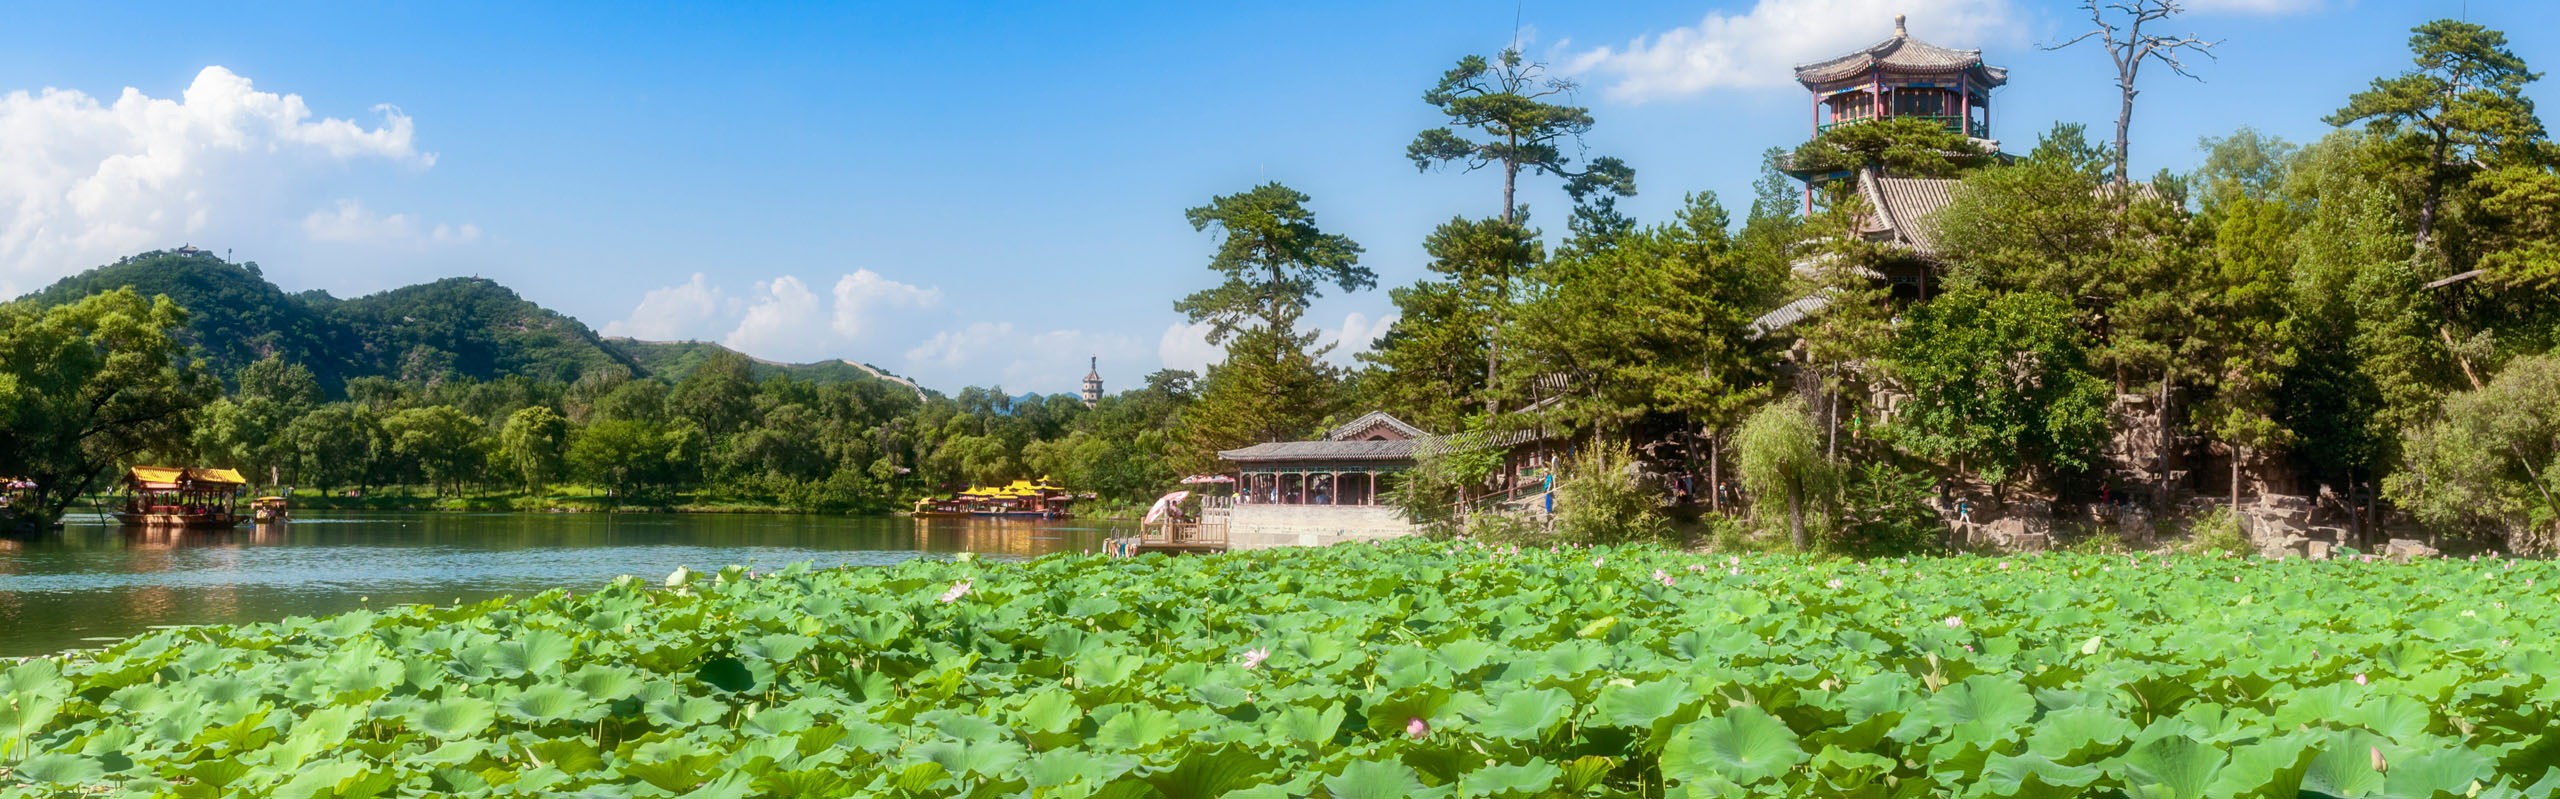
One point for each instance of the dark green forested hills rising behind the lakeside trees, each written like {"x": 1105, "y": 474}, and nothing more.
{"x": 460, "y": 327}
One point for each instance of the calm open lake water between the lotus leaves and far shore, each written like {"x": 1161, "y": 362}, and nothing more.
{"x": 96, "y": 583}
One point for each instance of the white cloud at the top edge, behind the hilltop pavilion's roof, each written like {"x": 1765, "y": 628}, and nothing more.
{"x": 1763, "y": 47}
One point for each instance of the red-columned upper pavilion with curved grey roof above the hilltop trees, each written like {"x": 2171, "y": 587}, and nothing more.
{"x": 1901, "y": 78}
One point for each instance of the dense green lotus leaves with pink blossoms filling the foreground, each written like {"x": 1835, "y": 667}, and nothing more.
{"x": 1407, "y": 670}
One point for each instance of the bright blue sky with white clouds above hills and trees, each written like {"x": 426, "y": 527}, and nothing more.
{"x": 966, "y": 193}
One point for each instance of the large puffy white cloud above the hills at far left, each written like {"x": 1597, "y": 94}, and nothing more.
{"x": 86, "y": 181}
